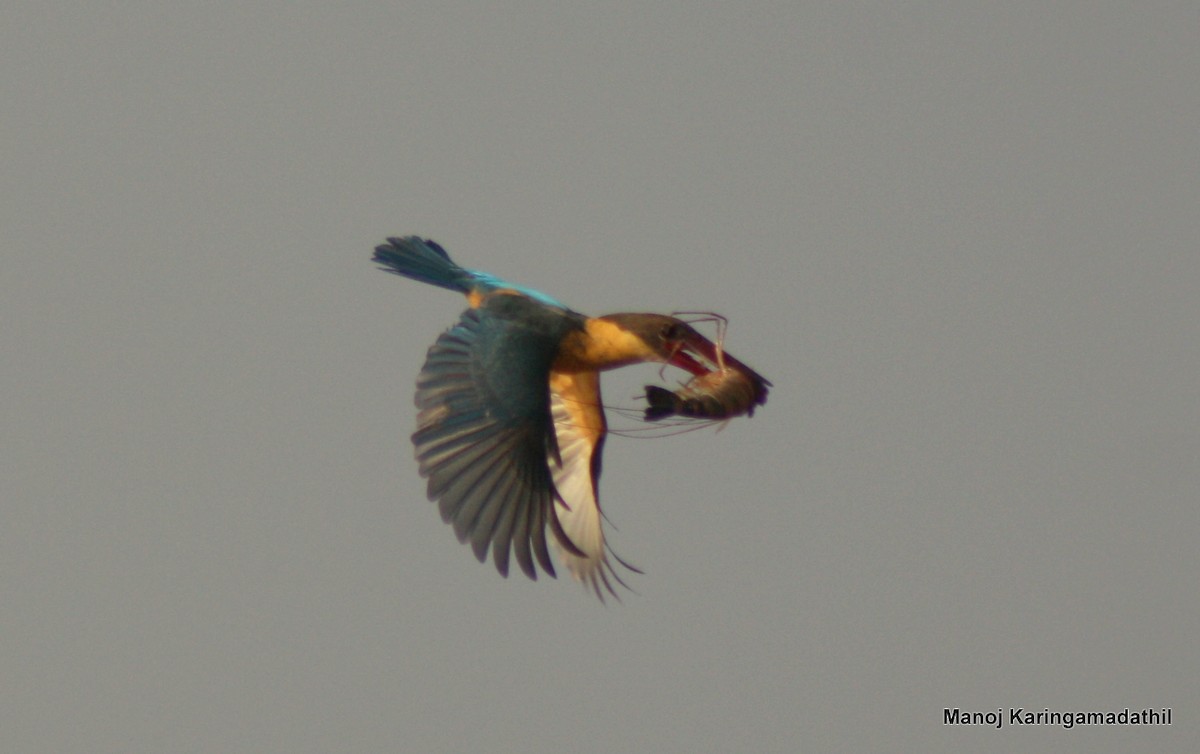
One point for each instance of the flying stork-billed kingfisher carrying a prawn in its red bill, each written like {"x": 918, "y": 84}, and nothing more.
{"x": 512, "y": 428}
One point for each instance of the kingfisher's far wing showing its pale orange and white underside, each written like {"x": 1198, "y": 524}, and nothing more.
{"x": 580, "y": 432}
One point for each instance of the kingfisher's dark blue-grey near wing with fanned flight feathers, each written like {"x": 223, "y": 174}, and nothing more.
{"x": 485, "y": 429}
